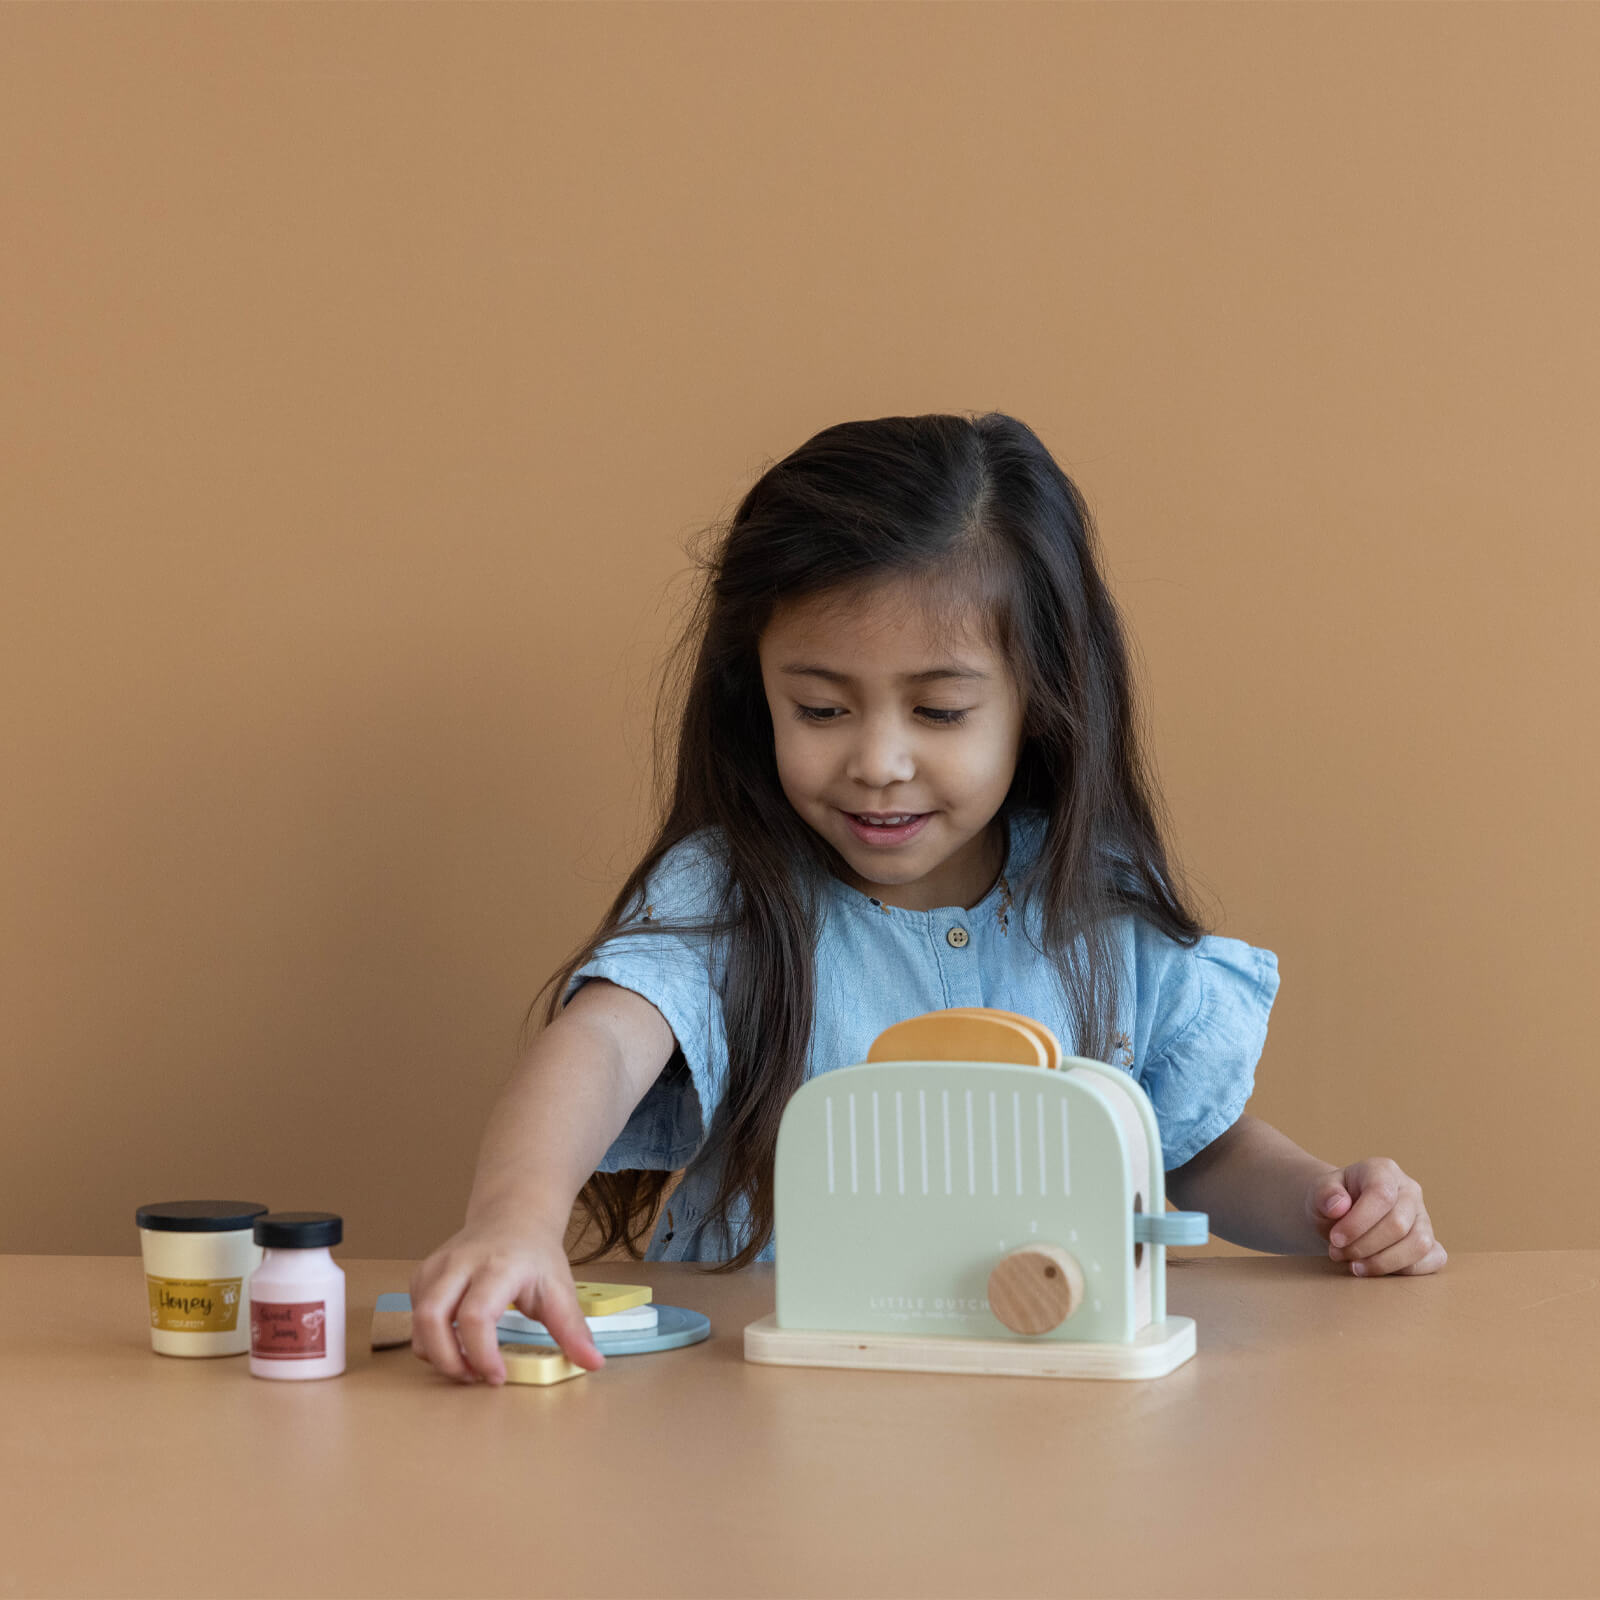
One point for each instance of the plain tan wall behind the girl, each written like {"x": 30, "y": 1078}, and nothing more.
{"x": 369, "y": 367}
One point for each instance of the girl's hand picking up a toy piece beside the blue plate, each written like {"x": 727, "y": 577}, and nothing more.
{"x": 473, "y": 1279}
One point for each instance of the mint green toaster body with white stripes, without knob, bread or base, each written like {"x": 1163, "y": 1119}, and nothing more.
{"x": 902, "y": 1185}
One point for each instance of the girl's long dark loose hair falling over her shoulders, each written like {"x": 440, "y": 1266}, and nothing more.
{"x": 977, "y": 511}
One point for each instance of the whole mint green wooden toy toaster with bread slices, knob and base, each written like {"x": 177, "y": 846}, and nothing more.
{"x": 970, "y": 1201}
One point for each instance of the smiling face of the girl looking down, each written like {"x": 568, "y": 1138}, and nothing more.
{"x": 873, "y": 713}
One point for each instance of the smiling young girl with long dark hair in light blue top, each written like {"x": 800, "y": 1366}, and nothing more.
{"x": 906, "y": 778}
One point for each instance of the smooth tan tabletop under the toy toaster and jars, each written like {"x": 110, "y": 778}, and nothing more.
{"x": 1431, "y": 1436}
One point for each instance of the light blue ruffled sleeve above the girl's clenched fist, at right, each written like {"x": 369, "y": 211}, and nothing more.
{"x": 1202, "y": 1023}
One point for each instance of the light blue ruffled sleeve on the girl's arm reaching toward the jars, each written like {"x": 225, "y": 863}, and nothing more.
{"x": 681, "y": 975}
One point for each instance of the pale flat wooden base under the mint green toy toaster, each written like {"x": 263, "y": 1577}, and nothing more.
{"x": 1153, "y": 1353}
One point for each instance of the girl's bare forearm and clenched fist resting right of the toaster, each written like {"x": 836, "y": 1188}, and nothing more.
{"x": 1265, "y": 1193}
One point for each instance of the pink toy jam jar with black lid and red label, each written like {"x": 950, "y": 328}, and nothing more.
{"x": 297, "y": 1297}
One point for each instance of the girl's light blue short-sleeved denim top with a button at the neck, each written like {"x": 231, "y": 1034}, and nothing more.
{"x": 1191, "y": 1023}
